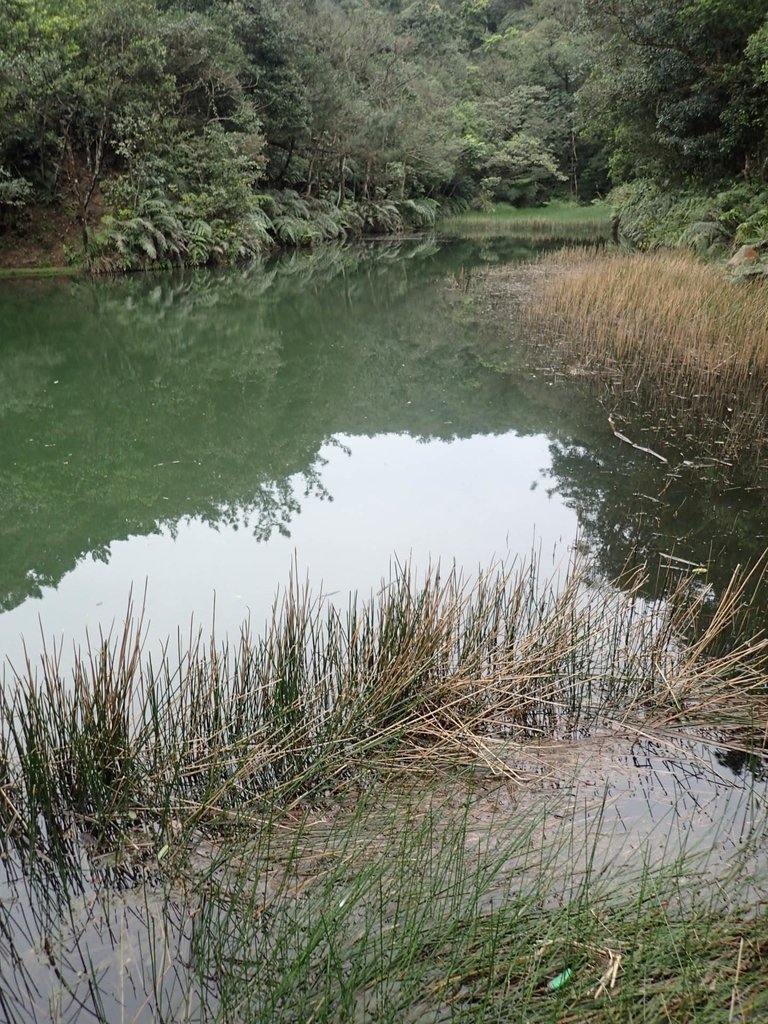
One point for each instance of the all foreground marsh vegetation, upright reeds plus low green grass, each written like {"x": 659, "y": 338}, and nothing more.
{"x": 321, "y": 824}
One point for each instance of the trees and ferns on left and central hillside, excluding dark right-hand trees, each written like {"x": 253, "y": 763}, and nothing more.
{"x": 362, "y": 117}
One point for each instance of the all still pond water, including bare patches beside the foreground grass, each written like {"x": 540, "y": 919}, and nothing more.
{"x": 199, "y": 436}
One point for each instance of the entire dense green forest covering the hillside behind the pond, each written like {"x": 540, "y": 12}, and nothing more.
{"x": 200, "y": 132}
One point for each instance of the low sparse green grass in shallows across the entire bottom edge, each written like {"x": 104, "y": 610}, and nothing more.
{"x": 391, "y": 909}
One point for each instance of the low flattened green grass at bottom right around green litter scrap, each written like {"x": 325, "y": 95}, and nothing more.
{"x": 413, "y": 914}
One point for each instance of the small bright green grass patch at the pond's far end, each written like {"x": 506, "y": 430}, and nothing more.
{"x": 554, "y": 223}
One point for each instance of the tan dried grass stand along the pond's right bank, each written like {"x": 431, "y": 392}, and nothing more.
{"x": 664, "y": 315}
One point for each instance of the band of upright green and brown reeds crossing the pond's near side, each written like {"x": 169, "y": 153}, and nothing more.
{"x": 428, "y": 675}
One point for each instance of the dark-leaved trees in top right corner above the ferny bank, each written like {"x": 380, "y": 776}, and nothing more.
{"x": 677, "y": 93}
